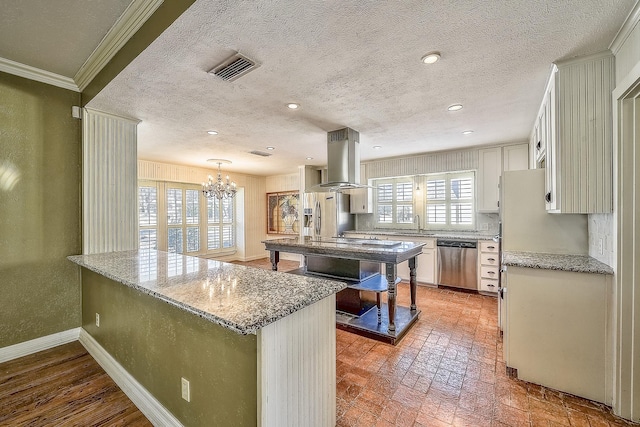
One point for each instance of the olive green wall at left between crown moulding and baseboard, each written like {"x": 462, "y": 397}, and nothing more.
{"x": 39, "y": 210}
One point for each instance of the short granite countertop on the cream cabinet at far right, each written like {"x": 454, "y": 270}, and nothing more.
{"x": 575, "y": 263}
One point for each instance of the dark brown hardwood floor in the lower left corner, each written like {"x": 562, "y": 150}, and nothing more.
{"x": 62, "y": 386}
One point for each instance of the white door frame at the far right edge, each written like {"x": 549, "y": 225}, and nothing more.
{"x": 626, "y": 119}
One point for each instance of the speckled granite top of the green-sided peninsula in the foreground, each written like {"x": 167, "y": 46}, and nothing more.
{"x": 243, "y": 299}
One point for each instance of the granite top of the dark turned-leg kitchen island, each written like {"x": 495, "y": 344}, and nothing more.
{"x": 344, "y": 247}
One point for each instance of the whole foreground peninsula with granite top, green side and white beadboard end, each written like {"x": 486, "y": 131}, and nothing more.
{"x": 258, "y": 347}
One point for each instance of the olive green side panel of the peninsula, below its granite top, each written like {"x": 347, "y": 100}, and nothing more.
{"x": 158, "y": 344}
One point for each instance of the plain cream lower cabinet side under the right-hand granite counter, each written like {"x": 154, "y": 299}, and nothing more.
{"x": 557, "y": 330}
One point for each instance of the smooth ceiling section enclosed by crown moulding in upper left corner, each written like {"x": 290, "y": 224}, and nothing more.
{"x": 56, "y": 36}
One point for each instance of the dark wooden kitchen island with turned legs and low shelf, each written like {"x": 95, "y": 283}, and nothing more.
{"x": 358, "y": 261}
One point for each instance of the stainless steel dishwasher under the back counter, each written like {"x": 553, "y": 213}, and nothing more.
{"x": 458, "y": 263}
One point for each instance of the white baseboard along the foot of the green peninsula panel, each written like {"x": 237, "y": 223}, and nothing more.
{"x": 157, "y": 414}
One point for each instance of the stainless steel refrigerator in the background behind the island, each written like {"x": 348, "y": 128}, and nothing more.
{"x": 327, "y": 214}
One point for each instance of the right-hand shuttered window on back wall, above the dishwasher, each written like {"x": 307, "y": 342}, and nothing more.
{"x": 450, "y": 200}
